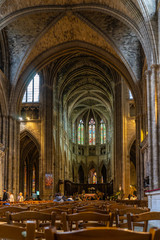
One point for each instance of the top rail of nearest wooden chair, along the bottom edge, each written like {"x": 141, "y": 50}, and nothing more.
{"x": 102, "y": 234}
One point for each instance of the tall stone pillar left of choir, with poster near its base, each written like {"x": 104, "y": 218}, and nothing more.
{"x": 46, "y": 164}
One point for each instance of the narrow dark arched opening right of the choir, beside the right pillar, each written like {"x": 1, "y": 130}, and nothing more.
{"x": 133, "y": 164}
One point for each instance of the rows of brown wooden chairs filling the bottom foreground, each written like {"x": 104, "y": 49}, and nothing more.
{"x": 77, "y": 220}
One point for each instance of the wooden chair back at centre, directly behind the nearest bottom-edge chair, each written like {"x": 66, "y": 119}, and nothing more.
{"x": 86, "y": 219}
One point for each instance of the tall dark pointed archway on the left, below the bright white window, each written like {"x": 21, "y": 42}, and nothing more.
{"x": 29, "y": 166}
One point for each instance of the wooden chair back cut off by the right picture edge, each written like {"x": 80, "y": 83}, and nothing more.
{"x": 143, "y": 217}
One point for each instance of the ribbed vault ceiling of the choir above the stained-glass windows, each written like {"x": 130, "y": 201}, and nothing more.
{"x": 86, "y": 88}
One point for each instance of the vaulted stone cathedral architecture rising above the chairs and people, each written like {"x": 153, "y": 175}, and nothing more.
{"x": 79, "y": 95}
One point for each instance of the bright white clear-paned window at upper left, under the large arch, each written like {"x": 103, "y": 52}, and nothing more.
{"x": 32, "y": 92}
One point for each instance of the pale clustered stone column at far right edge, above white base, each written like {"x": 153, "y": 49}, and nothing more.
{"x": 153, "y": 104}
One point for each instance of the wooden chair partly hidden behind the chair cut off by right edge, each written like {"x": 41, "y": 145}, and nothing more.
{"x": 121, "y": 216}
